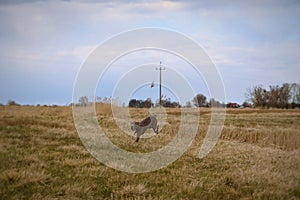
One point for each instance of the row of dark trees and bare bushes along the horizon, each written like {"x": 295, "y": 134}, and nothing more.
{"x": 285, "y": 96}
